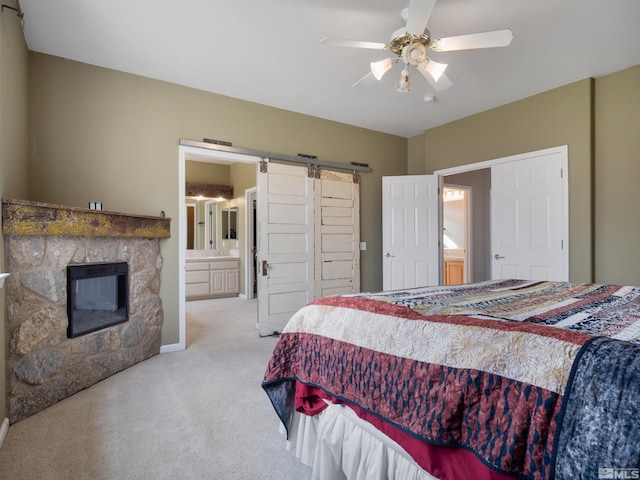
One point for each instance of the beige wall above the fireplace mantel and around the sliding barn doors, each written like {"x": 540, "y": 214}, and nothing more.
{"x": 99, "y": 134}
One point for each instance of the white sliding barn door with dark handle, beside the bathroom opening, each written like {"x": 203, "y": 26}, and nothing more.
{"x": 286, "y": 243}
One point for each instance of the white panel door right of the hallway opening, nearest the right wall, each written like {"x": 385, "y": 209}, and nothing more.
{"x": 527, "y": 219}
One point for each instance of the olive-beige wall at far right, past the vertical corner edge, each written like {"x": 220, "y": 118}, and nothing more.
{"x": 617, "y": 178}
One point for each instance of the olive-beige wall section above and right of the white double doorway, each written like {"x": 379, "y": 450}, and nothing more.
{"x": 559, "y": 117}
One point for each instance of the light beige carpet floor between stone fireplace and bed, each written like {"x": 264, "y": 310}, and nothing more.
{"x": 195, "y": 414}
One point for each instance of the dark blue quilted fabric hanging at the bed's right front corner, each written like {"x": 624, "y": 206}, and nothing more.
{"x": 601, "y": 427}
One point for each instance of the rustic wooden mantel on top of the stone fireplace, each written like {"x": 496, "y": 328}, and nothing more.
{"x": 24, "y": 217}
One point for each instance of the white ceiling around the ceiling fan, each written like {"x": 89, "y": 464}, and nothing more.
{"x": 269, "y": 51}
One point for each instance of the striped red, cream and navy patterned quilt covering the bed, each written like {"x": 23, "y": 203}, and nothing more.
{"x": 527, "y": 399}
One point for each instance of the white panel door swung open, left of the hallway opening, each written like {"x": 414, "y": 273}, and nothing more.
{"x": 410, "y": 231}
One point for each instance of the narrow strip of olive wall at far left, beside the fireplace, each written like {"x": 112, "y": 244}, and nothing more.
{"x": 13, "y": 140}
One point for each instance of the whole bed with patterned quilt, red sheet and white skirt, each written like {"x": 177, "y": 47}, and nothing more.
{"x": 492, "y": 380}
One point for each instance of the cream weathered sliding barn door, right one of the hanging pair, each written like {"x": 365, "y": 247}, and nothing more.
{"x": 337, "y": 219}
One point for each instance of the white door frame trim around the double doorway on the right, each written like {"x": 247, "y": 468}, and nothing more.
{"x": 563, "y": 150}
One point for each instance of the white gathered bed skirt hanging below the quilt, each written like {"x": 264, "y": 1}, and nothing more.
{"x": 339, "y": 445}
